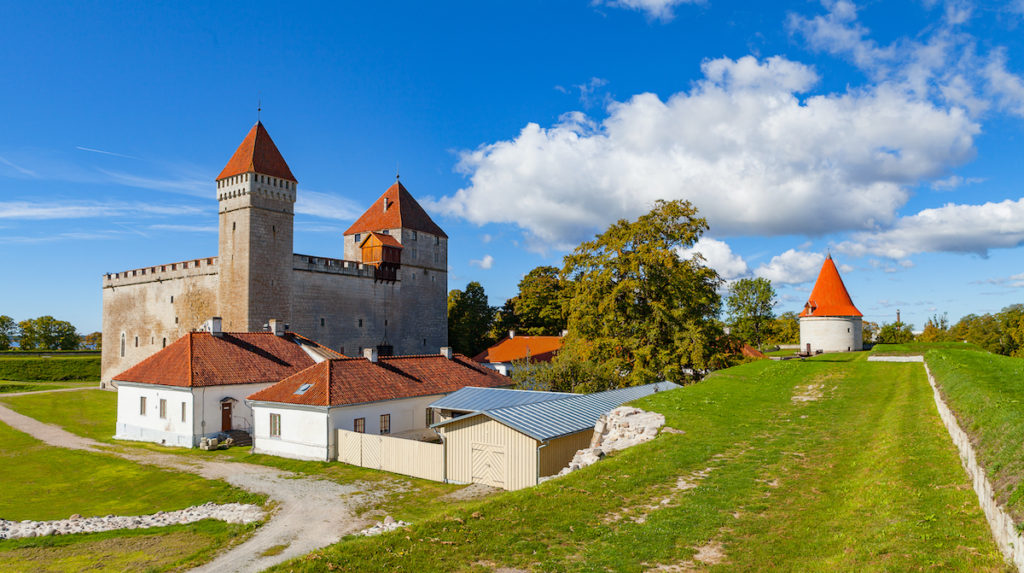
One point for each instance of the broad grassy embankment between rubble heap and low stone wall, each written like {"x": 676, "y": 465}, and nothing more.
{"x": 823, "y": 465}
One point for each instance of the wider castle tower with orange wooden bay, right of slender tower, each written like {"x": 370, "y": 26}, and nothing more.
{"x": 416, "y": 307}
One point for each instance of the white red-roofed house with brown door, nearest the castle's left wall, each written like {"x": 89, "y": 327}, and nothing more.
{"x": 196, "y": 387}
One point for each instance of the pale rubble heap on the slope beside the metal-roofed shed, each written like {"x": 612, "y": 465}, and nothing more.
{"x": 620, "y": 429}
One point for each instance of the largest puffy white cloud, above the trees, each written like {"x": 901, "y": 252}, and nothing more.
{"x": 742, "y": 146}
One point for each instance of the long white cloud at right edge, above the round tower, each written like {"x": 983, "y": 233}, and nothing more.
{"x": 952, "y": 229}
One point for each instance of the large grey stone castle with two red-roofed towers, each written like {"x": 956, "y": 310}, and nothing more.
{"x": 389, "y": 292}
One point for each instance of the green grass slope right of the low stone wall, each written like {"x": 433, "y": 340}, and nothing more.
{"x": 987, "y": 392}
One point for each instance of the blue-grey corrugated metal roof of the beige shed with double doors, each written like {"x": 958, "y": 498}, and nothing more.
{"x": 569, "y": 414}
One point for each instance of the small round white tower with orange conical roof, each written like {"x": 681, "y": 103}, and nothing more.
{"x": 830, "y": 322}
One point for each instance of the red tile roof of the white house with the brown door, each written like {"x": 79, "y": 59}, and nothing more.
{"x": 200, "y": 360}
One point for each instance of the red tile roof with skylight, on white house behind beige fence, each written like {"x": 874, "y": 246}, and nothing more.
{"x": 357, "y": 381}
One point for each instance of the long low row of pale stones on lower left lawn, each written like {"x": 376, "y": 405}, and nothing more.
{"x": 232, "y": 513}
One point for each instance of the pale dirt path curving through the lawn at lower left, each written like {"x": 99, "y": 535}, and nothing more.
{"x": 311, "y": 513}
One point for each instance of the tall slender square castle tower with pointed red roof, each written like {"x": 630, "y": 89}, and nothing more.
{"x": 257, "y": 196}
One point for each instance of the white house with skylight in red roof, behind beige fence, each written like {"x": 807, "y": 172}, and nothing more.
{"x": 298, "y": 417}
